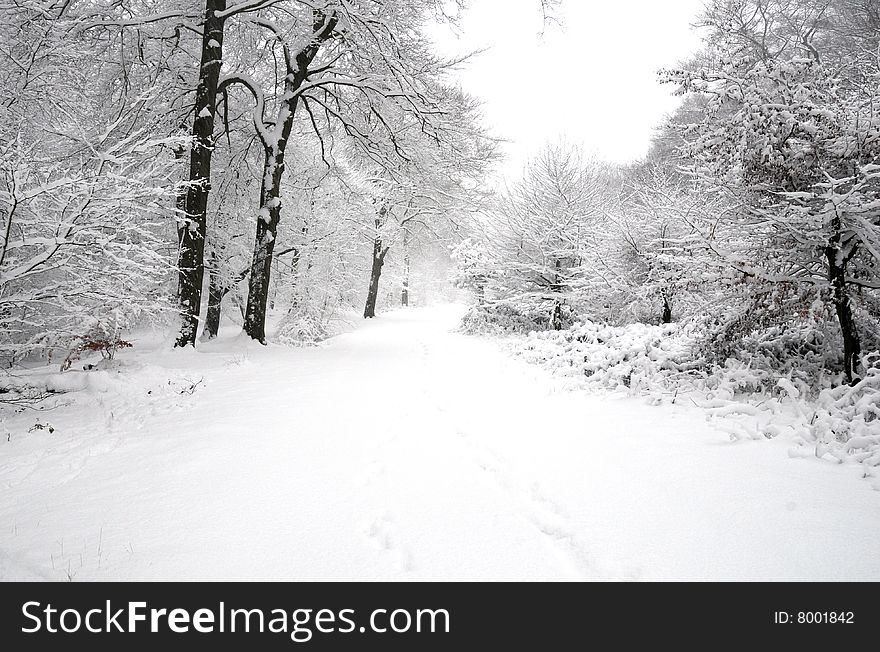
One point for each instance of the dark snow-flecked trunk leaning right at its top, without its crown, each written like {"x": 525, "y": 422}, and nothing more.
{"x": 273, "y": 172}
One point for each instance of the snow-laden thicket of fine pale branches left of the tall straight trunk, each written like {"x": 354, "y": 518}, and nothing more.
{"x": 86, "y": 181}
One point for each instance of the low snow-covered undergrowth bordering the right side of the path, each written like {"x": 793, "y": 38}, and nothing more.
{"x": 759, "y": 392}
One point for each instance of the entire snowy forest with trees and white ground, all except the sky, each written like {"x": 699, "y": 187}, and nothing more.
{"x": 262, "y": 248}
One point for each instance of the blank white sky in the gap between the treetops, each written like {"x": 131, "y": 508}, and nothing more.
{"x": 591, "y": 81}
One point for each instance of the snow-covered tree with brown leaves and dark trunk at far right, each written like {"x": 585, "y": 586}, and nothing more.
{"x": 792, "y": 141}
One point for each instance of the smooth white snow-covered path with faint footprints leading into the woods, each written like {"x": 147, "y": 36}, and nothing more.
{"x": 403, "y": 450}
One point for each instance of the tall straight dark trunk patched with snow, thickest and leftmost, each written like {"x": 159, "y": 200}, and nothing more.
{"x": 192, "y": 230}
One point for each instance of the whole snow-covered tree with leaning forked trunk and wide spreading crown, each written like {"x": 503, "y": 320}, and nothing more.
{"x": 353, "y": 67}
